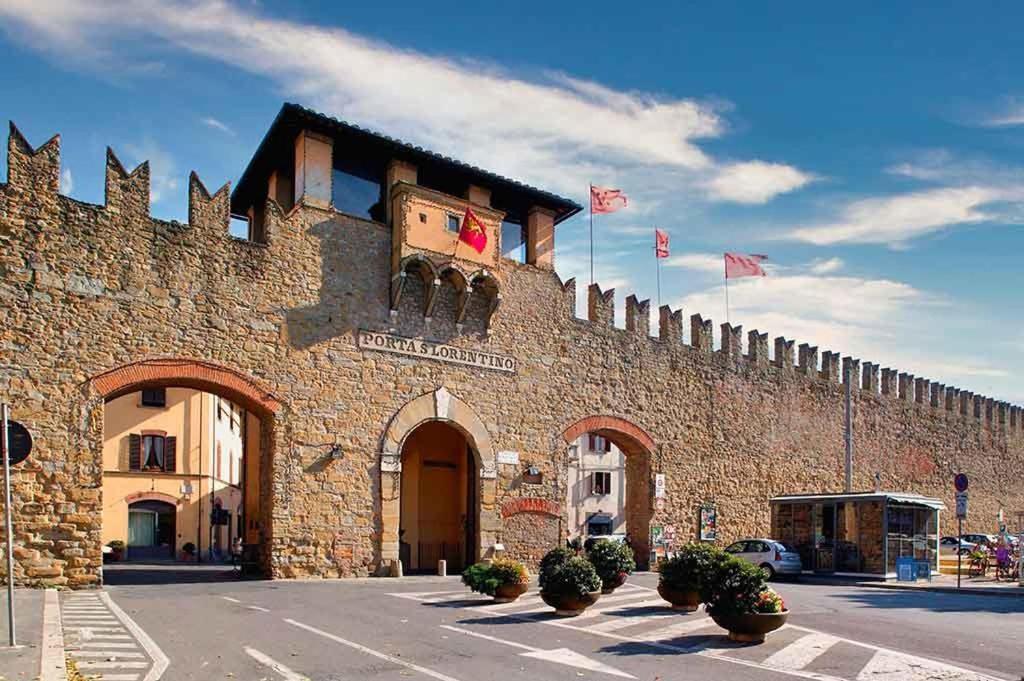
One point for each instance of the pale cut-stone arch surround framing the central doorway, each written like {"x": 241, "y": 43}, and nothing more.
{"x": 444, "y": 407}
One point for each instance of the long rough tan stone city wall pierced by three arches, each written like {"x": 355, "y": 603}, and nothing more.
{"x": 90, "y": 288}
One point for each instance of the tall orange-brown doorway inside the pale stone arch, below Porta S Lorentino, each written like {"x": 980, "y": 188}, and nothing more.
{"x": 440, "y": 507}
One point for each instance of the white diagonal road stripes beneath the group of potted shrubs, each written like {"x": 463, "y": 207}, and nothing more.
{"x": 635, "y": 615}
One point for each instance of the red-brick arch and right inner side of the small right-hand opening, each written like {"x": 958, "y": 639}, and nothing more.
{"x": 638, "y": 448}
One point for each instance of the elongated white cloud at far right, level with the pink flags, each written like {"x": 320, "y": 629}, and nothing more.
{"x": 894, "y": 221}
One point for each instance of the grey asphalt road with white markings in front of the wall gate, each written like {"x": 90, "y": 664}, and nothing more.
{"x": 430, "y": 628}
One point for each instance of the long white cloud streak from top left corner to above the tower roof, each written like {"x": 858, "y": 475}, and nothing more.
{"x": 553, "y": 131}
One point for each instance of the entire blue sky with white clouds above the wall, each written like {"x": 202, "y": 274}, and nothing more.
{"x": 877, "y": 156}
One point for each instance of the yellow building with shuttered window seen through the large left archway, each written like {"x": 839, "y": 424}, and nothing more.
{"x": 174, "y": 475}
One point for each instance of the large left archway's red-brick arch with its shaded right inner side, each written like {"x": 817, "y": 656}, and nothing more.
{"x": 216, "y": 379}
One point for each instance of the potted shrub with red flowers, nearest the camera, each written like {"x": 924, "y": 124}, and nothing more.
{"x": 739, "y": 600}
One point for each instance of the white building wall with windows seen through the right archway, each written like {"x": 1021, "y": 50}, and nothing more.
{"x": 582, "y": 500}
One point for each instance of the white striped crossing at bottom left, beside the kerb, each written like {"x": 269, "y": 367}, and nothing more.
{"x": 101, "y": 644}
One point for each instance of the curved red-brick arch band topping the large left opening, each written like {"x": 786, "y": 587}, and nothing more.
{"x": 184, "y": 372}
